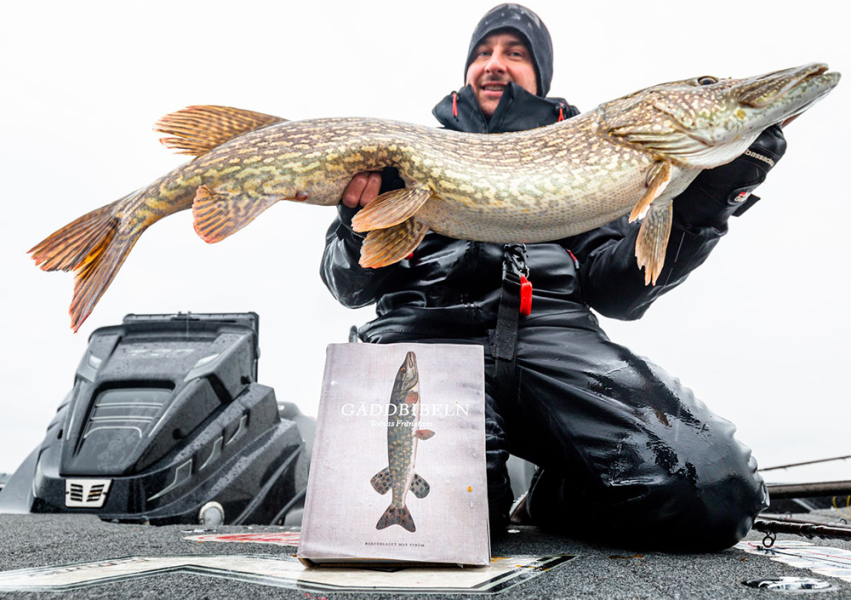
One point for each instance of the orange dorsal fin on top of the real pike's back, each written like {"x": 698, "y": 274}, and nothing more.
{"x": 202, "y": 128}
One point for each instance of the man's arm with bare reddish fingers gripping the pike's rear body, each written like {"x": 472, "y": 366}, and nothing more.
{"x": 352, "y": 285}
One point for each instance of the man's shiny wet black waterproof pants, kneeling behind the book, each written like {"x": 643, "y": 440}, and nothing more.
{"x": 628, "y": 453}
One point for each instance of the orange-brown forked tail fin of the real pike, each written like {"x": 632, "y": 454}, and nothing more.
{"x": 93, "y": 247}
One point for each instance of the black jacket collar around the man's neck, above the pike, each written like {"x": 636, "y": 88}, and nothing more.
{"x": 518, "y": 110}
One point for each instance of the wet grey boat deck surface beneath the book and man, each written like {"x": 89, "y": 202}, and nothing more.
{"x": 197, "y": 569}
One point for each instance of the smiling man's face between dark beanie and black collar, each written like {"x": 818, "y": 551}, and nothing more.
{"x": 497, "y": 60}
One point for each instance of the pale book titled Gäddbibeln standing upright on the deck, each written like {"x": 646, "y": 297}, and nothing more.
{"x": 398, "y": 468}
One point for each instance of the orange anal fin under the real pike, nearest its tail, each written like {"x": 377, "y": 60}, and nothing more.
{"x": 218, "y": 215}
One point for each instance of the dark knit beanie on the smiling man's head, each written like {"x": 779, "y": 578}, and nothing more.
{"x": 530, "y": 27}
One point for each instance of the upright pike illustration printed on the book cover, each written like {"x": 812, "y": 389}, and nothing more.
{"x": 402, "y": 438}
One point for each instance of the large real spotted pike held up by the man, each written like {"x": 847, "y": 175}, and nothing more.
{"x": 632, "y": 155}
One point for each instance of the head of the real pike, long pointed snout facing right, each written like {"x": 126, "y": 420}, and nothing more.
{"x": 705, "y": 121}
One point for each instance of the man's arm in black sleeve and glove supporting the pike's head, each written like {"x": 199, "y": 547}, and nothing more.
{"x": 611, "y": 282}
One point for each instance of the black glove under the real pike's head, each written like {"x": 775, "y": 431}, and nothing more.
{"x": 718, "y": 193}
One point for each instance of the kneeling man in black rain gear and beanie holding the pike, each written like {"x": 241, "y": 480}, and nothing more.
{"x": 626, "y": 452}
